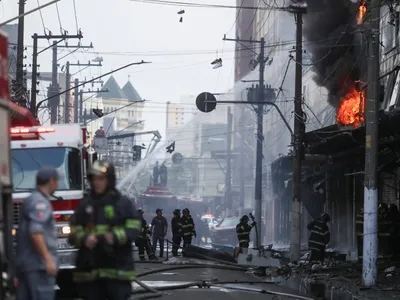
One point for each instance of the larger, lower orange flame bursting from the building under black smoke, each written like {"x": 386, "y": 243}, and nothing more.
{"x": 351, "y": 108}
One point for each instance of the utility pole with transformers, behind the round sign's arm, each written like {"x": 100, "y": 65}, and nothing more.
{"x": 260, "y": 140}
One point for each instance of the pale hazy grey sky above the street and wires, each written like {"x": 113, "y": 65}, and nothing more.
{"x": 124, "y": 31}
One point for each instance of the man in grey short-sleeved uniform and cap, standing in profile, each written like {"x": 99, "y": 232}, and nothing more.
{"x": 36, "y": 260}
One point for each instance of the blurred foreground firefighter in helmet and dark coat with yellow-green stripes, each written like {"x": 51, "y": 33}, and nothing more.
{"x": 103, "y": 228}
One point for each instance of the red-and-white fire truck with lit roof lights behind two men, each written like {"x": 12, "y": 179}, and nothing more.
{"x": 60, "y": 146}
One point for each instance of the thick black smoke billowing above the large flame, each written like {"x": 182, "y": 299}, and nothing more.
{"x": 337, "y": 64}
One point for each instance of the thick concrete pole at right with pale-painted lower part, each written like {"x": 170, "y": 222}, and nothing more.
{"x": 370, "y": 241}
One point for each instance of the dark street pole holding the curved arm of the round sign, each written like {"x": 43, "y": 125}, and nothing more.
{"x": 297, "y": 144}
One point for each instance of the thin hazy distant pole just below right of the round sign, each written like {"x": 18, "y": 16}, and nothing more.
{"x": 228, "y": 173}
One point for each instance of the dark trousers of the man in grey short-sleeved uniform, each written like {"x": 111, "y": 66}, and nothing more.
{"x": 35, "y": 286}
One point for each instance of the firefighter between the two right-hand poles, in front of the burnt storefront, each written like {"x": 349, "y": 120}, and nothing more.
{"x": 319, "y": 237}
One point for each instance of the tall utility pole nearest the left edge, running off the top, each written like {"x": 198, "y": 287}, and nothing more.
{"x": 19, "y": 86}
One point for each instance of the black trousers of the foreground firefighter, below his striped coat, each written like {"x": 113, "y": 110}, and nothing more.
{"x": 105, "y": 290}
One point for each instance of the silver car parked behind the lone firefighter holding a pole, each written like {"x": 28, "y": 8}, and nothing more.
{"x": 224, "y": 233}
